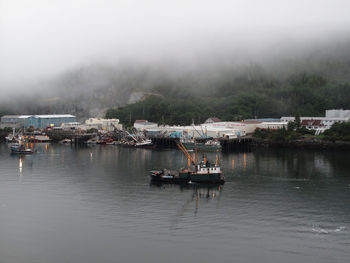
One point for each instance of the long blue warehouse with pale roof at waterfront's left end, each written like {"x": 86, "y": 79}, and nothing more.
{"x": 35, "y": 121}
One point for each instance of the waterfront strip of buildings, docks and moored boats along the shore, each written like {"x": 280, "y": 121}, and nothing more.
{"x": 213, "y": 135}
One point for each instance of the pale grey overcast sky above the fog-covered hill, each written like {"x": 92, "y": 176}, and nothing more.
{"x": 42, "y": 38}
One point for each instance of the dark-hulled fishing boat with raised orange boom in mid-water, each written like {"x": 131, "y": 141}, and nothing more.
{"x": 200, "y": 172}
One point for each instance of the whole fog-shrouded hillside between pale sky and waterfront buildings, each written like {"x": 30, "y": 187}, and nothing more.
{"x": 176, "y": 93}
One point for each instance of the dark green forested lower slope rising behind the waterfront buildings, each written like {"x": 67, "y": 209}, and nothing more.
{"x": 245, "y": 96}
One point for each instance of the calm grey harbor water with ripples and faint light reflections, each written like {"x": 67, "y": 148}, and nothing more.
{"x": 96, "y": 204}
